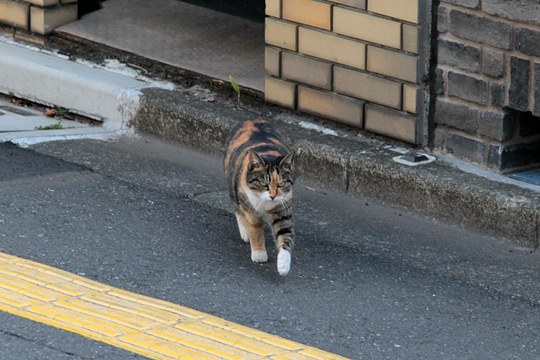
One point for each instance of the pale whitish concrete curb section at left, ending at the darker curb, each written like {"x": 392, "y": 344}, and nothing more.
{"x": 53, "y": 80}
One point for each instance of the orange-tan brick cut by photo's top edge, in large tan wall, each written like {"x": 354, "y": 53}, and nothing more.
{"x": 308, "y": 12}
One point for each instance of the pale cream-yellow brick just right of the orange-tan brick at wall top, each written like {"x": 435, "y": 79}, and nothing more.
{"x": 367, "y": 27}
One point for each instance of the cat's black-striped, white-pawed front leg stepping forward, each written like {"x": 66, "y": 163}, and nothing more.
{"x": 283, "y": 231}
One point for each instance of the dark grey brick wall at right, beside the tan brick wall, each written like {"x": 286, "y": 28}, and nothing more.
{"x": 488, "y": 76}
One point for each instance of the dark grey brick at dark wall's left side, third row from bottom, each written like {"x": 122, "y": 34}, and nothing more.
{"x": 467, "y": 87}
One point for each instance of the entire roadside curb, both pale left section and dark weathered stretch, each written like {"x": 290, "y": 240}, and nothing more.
{"x": 331, "y": 155}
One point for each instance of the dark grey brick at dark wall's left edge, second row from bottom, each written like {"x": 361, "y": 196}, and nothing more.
{"x": 456, "y": 115}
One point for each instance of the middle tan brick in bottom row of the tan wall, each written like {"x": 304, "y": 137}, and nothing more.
{"x": 331, "y": 106}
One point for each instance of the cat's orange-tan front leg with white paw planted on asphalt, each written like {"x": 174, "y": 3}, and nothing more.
{"x": 252, "y": 228}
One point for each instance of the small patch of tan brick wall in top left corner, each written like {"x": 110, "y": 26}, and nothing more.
{"x": 38, "y": 16}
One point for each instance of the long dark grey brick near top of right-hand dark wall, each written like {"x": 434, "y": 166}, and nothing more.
{"x": 480, "y": 29}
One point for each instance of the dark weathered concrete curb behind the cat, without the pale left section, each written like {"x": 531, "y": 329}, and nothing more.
{"x": 353, "y": 165}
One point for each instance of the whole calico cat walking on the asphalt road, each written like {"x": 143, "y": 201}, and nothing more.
{"x": 259, "y": 168}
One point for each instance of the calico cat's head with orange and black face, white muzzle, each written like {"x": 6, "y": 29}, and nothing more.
{"x": 271, "y": 181}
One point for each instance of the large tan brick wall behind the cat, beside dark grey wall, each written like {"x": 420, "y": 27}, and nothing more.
{"x": 352, "y": 61}
